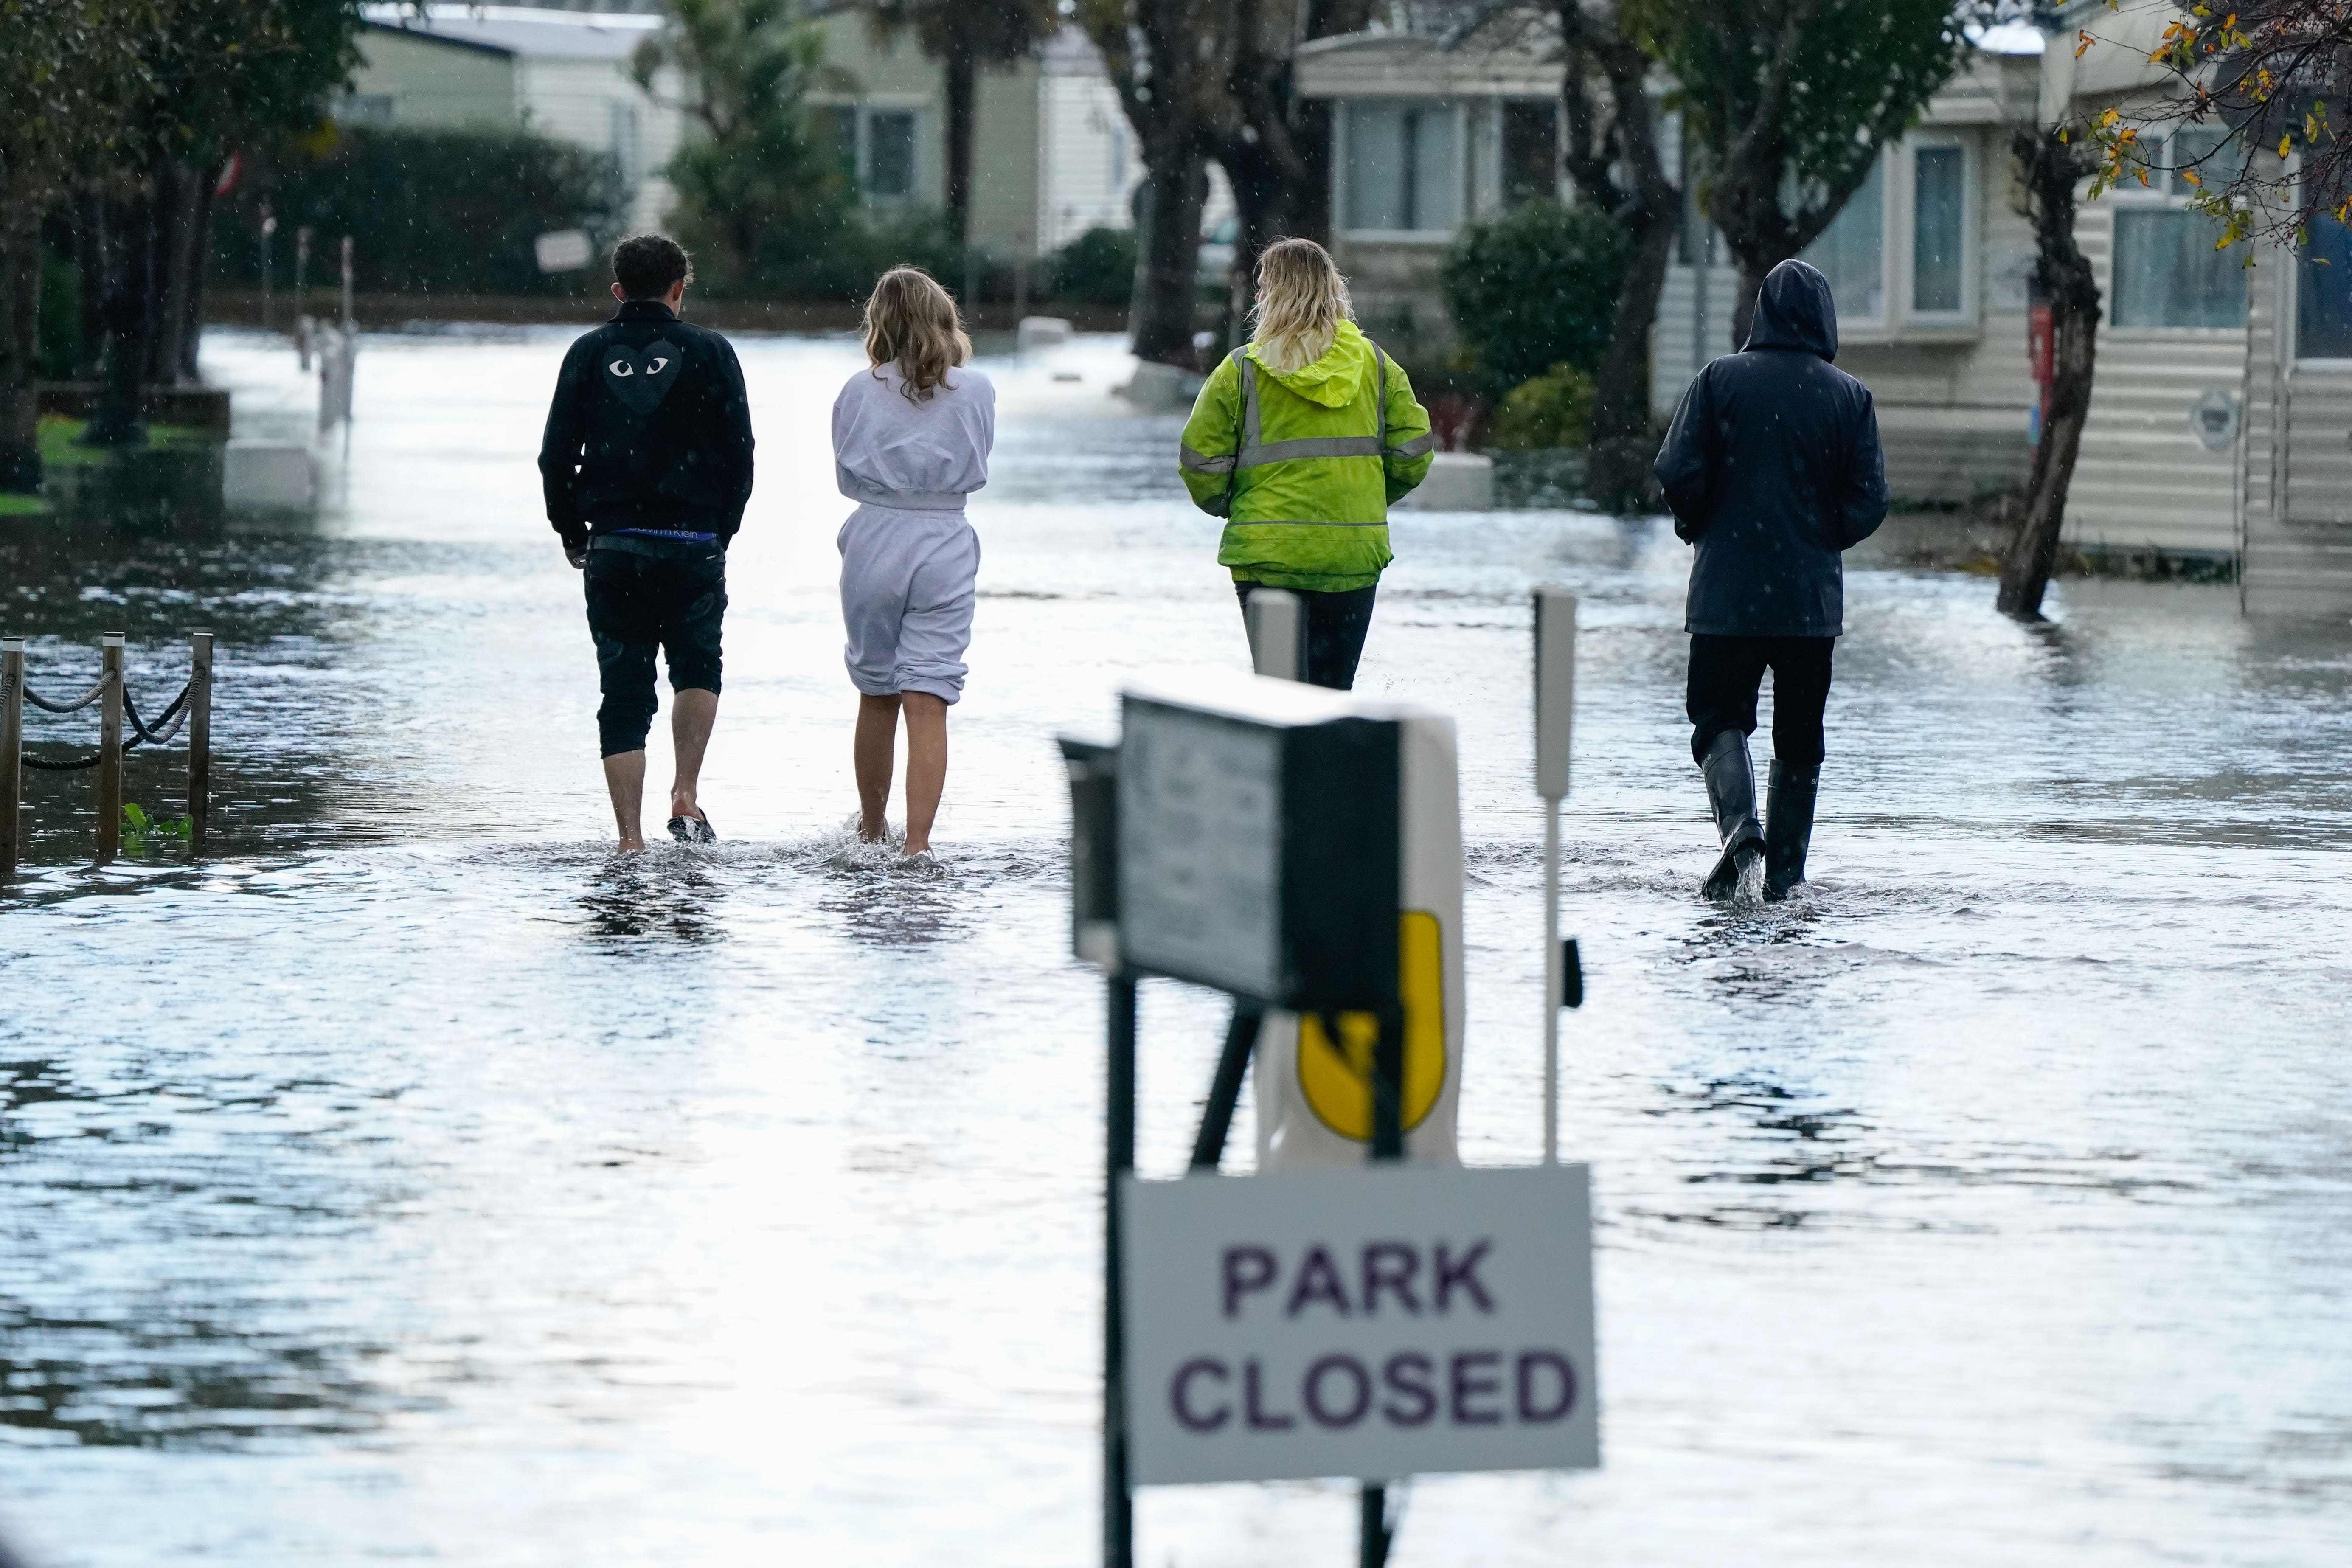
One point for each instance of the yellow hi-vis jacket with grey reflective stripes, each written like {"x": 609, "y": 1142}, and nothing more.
{"x": 1307, "y": 464}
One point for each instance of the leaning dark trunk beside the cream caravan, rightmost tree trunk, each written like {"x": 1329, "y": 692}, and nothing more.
{"x": 2066, "y": 281}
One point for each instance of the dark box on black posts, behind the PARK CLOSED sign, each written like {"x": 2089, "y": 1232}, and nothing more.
{"x": 1255, "y": 847}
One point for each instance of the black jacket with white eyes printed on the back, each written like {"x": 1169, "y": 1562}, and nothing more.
{"x": 648, "y": 431}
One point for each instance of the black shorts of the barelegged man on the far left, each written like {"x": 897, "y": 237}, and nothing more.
{"x": 639, "y": 603}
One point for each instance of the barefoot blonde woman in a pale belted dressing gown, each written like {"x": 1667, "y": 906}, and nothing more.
{"x": 911, "y": 441}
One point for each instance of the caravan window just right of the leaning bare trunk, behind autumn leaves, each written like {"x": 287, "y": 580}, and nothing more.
{"x": 2167, "y": 272}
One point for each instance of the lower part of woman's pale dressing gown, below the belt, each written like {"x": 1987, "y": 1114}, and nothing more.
{"x": 907, "y": 601}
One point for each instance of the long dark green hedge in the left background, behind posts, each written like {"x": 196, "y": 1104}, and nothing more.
{"x": 429, "y": 210}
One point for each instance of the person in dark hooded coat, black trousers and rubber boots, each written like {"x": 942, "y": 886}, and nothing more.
{"x": 1772, "y": 469}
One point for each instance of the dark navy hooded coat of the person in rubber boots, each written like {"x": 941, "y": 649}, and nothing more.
{"x": 1772, "y": 469}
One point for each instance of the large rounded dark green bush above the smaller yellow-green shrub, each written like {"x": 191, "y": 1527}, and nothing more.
{"x": 1532, "y": 290}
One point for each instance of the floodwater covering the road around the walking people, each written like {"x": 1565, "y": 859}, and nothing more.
{"x": 417, "y": 1181}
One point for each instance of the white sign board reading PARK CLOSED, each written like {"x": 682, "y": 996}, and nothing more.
{"x": 1372, "y": 1322}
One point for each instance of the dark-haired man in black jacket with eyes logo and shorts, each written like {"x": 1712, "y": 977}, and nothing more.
{"x": 648, "y": 471}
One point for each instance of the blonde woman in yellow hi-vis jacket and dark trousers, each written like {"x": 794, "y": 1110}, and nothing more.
{"x": 1302, "y": 441}
